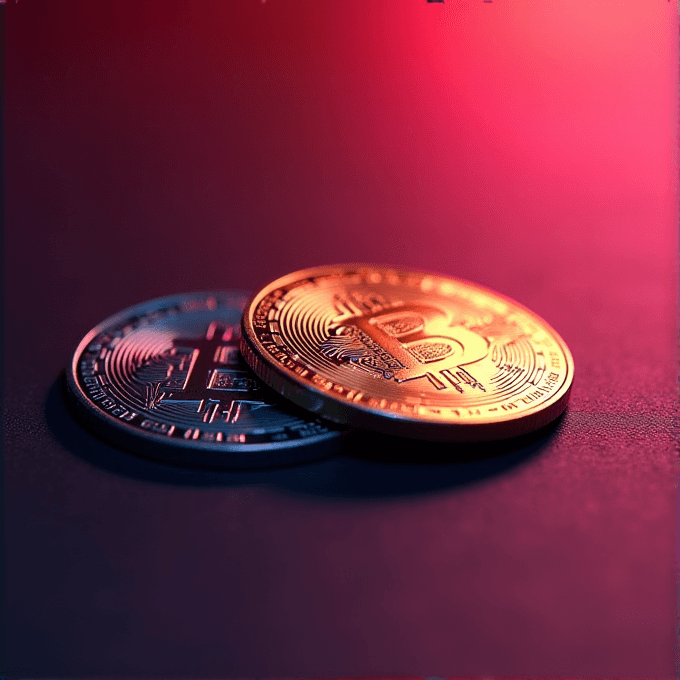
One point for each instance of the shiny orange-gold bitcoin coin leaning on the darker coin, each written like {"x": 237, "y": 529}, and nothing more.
{"x": 406, "y": 352}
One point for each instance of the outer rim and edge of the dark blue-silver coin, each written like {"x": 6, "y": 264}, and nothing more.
{"x": 177, "y": 450}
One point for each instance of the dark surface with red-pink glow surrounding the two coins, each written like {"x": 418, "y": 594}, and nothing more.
{"x": 158, "y": 147}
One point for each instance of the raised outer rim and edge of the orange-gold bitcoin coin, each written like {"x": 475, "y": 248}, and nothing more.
{"x": 343, "y": 412}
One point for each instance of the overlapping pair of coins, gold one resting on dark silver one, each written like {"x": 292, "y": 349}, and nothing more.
{"x": 222, "y": 379}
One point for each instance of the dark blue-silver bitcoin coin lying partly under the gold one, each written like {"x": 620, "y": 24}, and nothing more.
{"x": 166, "y": 379}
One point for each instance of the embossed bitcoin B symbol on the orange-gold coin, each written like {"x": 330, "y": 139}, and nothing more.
{"x": 408, "y": 342}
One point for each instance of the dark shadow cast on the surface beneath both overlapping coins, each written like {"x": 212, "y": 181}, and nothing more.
{"x": 369, "y": 466}
